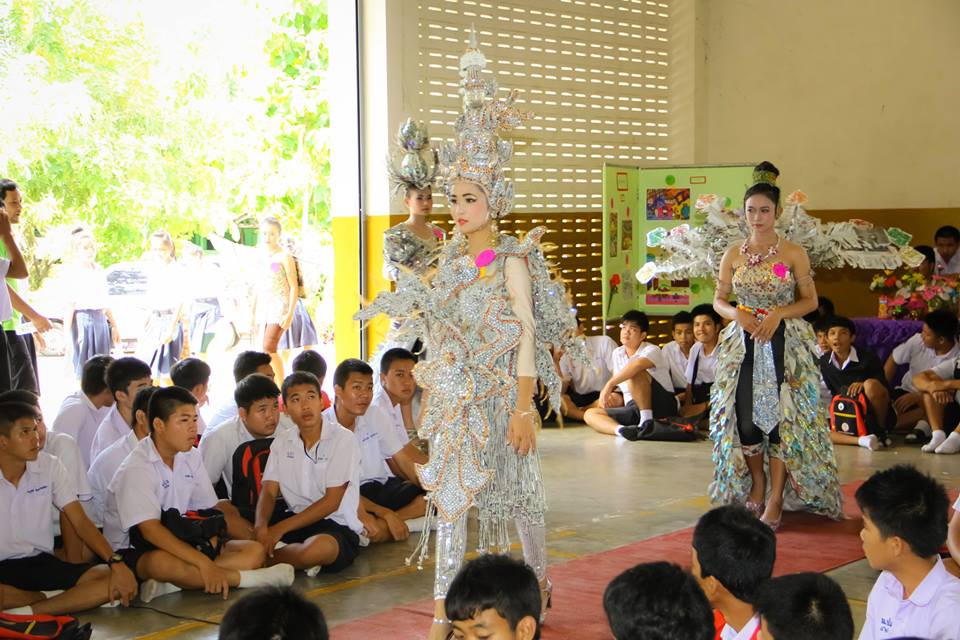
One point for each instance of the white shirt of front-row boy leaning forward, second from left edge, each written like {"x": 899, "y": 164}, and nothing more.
{"x": 144, "y": 486}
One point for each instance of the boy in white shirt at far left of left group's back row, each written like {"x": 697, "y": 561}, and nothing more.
{"x": 82, "y": 411}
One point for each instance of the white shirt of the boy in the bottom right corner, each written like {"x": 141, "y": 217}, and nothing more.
{"x": 932, "y": 611}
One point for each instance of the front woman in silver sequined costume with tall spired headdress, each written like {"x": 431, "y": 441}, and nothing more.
{"x": 488, "y": 317}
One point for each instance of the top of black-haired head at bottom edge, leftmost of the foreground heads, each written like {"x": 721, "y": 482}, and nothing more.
{"x": 273, "y": 612}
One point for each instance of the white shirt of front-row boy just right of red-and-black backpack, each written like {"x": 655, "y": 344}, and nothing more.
{"x": 304, "y": 476}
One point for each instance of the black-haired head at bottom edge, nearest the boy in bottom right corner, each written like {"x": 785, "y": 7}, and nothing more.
{"x": 805, "y": 605}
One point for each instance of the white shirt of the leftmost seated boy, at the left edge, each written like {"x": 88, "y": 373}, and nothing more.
{"x": 26, "y": 528}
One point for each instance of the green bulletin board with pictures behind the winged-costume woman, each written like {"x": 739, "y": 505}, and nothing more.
{"x": 637, "y": 201}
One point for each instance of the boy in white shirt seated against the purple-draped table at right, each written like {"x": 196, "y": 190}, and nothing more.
{"x": 936, "y": 343}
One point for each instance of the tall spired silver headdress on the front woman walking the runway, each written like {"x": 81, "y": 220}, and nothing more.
{"x": 477, "y": 154}
